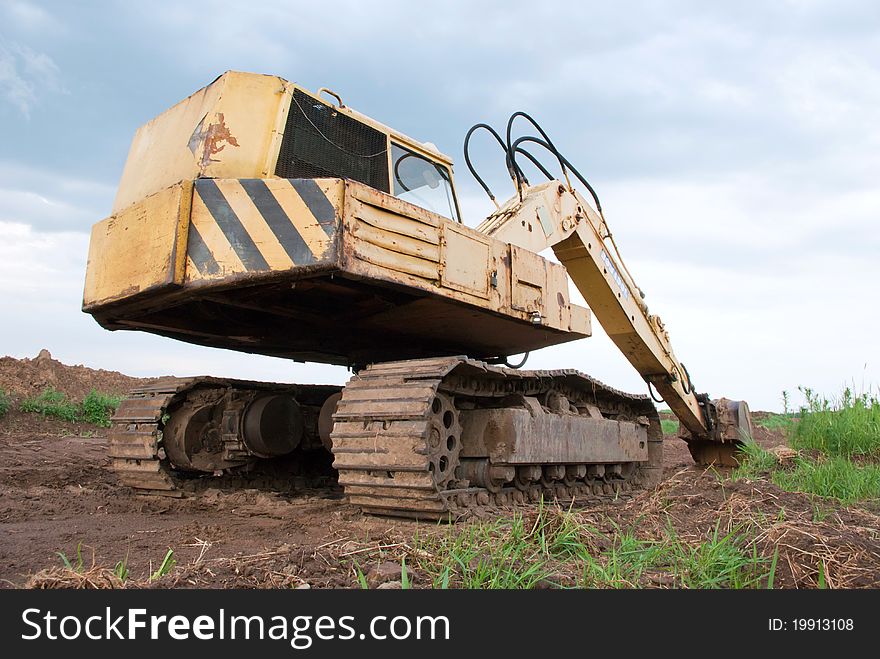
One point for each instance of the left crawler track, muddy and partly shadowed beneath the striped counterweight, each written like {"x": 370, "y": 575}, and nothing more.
{"x": 138, "y": 450}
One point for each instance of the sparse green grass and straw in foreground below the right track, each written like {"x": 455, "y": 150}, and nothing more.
{"x": 559, "y": 549}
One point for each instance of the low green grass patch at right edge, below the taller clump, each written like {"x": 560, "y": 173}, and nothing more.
{"x": 836, "y": 477}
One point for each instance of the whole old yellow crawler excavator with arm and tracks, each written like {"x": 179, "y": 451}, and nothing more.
{"x": 260, "y": 217}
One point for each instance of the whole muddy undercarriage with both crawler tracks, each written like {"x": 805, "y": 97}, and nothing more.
{"x": 429, "y": 439}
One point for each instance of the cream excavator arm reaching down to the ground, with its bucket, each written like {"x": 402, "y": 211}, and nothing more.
{"x": 554, "y": 215}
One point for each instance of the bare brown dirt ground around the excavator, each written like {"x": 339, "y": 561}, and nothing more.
{"x": 56, "y": 493}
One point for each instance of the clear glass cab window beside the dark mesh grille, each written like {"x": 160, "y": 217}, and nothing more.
{"x": 422, "y": 182}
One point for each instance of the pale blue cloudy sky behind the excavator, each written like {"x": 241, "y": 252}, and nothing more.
{"x": 735, "y": 146}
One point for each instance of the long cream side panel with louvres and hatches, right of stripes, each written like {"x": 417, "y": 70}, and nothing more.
{"x": 394, "y": 241}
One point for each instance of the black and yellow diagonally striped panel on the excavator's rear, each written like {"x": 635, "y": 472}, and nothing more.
{"x": 260, "y": 225}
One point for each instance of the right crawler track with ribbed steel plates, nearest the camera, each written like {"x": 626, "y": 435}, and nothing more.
{"x": 397, "y": 444}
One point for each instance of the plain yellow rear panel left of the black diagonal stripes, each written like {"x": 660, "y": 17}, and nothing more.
{"x": 139, "y": 250}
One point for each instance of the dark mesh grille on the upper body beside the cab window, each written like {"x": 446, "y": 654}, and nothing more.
{"x": 320, "y": 142}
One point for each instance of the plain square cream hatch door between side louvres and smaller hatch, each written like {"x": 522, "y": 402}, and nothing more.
{"x": 466, "y": 263}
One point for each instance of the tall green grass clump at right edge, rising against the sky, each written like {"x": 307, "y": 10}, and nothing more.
{"x": 848, "y": 426}
